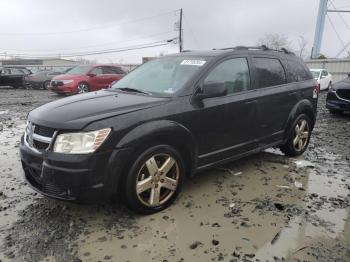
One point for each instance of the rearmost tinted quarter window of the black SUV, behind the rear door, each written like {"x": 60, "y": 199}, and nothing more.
{"x": 298, "y": 72}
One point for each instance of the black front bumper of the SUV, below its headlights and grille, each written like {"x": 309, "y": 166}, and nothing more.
{"x": 73, "y": 177}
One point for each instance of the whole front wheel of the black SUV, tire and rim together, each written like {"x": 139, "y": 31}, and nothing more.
{"x": 152, "y": 195}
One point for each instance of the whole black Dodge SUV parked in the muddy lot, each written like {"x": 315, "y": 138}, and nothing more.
{"x": 166, "y": 120}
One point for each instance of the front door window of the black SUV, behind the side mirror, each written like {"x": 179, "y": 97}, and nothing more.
{"x": 234, "y": 73}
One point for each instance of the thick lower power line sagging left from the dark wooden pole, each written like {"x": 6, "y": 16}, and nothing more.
{"x": 98, "y": 52}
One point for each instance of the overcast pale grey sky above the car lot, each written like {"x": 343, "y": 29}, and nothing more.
{"x": 53, "y": 28}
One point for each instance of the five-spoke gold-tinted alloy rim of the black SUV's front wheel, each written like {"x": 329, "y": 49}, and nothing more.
{"x": 157, "y": 180}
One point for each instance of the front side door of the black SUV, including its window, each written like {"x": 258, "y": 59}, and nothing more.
{"x": 227, "y": 125}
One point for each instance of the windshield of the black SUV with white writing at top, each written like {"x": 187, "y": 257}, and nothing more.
{"x": 162, "y": 76}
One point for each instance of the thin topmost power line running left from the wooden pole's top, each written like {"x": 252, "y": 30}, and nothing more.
{"x": 88, "y": 29}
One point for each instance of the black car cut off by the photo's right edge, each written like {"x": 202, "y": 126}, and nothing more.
{"x": 338, "y": 97}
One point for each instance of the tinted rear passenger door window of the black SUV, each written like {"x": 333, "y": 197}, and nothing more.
{"x": 269, "y": 72}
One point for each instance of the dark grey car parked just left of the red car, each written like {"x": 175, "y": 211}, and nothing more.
{"x": 40, "y": 79}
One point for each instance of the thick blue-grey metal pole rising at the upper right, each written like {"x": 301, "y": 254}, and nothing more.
{"x": 321, "y": 18}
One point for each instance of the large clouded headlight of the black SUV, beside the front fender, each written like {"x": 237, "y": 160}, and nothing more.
{"x": 80, "y": 143}
